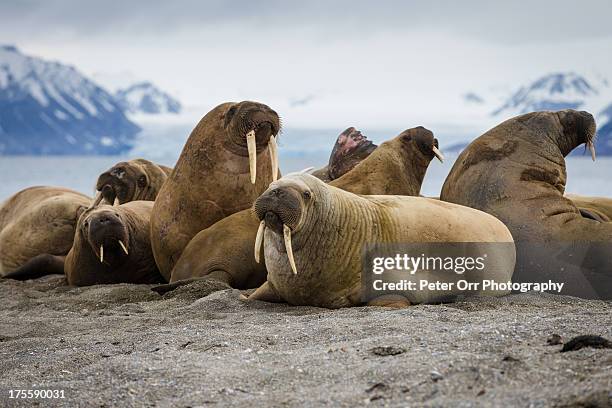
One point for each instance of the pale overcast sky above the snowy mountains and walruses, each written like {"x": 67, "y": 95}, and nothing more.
{"x": 385, "y": 64}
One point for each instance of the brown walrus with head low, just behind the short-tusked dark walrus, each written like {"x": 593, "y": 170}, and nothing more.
{"x": 136, "y": 179}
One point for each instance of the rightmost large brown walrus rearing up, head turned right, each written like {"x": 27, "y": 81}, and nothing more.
{"x": 516, "y": 172}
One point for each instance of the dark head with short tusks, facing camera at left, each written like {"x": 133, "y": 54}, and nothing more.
{"x": 106, "y": 232}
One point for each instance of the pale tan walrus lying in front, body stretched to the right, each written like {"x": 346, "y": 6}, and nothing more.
{"x": 313, "y": 237}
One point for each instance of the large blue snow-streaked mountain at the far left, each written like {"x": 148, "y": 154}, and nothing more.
{"x": 50, "y": 108}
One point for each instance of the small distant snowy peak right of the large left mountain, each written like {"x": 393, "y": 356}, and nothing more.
{"x": 144, "y": 97}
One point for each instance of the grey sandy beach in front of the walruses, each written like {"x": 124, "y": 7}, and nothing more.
{"x": 125, "y": 345}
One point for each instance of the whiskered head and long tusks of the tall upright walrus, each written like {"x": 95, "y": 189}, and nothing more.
{"x": 250, "y": 127}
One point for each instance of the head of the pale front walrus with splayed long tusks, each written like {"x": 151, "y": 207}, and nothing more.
{"x": 282, "y": 208}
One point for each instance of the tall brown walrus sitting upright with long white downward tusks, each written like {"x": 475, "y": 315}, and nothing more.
{"x": 228, "y": 161}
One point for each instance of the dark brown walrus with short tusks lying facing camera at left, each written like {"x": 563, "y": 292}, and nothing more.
{"x": 112, "y": 245}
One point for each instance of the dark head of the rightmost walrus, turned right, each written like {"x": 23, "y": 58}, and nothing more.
{"x": 578, "y": 127}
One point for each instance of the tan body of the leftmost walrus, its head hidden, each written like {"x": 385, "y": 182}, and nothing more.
{"x": 37, "y": 226}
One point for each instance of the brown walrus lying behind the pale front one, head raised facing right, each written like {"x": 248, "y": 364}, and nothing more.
{"x": 224, "y": 251}
